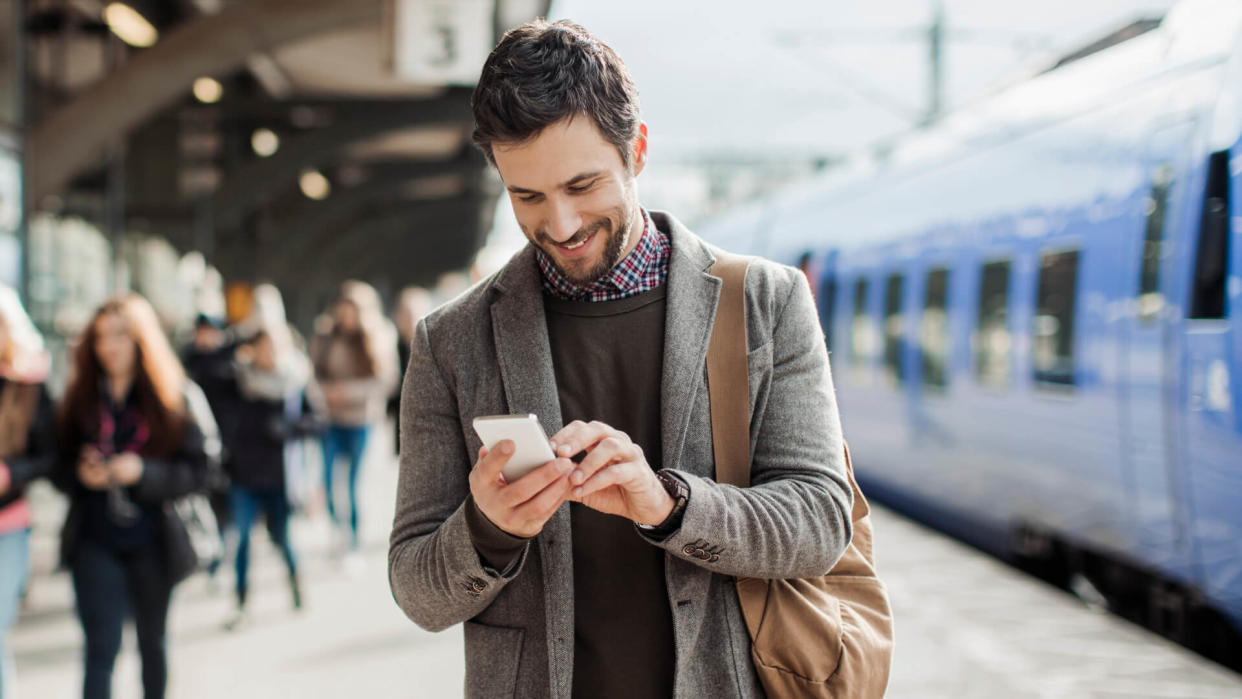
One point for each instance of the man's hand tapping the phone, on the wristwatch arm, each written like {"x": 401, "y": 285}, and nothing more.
{"x": 615, "y": 477}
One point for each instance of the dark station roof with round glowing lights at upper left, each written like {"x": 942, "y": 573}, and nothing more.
{"x": 404, "y": 196}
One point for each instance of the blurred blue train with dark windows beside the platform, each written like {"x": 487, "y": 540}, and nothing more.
{"x": 1035, "y": 320}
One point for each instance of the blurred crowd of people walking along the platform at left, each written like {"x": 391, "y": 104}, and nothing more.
{"x": 168, "y": 460}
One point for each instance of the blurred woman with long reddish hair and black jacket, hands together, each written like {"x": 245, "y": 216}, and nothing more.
{"x": 136, "y": 435}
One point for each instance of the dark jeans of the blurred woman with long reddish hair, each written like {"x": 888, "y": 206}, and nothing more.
{"x": 107, "y": 585}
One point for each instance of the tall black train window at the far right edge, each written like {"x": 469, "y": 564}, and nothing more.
{"x": 1212, "y": 261}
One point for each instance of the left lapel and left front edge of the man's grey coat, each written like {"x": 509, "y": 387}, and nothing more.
{"x": 525, "y": 356}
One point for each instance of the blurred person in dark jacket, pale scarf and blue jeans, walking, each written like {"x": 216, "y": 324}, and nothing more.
{"x": 273, "y": 378}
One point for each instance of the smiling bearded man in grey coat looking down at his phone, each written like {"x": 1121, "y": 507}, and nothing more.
{"x": 610, "y": 575}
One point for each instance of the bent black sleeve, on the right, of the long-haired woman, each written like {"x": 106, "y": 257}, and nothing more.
{"x": 193, "y": 465}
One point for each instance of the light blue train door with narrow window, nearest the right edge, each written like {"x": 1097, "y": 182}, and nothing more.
{"x": 1147, "y": 345}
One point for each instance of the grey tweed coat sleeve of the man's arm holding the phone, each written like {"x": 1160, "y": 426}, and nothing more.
{"x": 435, "y": 572}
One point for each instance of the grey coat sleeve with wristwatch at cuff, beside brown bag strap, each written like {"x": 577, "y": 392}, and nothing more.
{"x": 794, "y": 521}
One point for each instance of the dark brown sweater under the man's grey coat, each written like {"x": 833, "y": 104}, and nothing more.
{"x": 608, "y": 358}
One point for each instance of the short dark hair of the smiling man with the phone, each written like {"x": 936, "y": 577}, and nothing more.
{"x": 543, "y": 73}
